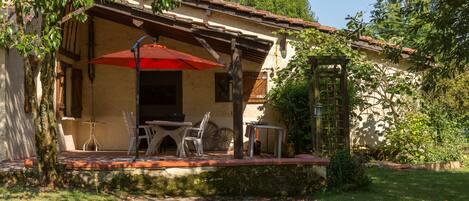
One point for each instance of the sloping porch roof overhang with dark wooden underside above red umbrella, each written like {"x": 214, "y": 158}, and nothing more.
{"x": 183, "y": 29}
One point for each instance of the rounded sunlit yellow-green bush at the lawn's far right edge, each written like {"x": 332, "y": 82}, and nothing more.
{"x": 426, "y": 137}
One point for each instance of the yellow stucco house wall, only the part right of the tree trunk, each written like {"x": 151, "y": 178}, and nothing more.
{"x": 114, "y": 87}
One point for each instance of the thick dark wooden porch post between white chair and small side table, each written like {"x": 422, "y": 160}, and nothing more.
{"x": 236, "y": 72}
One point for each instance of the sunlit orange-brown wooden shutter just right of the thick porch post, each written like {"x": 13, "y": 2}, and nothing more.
{"x": 255, "y": 87}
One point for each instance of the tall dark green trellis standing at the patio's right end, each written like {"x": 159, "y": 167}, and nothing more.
{"x": 329, "y": 103}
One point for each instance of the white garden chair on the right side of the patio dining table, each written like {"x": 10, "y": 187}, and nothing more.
{"x": 197, "y": 139}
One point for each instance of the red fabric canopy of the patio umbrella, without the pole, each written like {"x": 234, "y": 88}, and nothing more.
{"x": 154, "y": 57}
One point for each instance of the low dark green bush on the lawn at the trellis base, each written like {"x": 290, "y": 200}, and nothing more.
{"x": 345, "y": 172}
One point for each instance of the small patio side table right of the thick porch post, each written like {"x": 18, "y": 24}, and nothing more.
{"x": 250, "y": 132}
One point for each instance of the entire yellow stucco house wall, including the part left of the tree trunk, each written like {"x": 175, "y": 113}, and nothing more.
{"x": 115, "y": 88}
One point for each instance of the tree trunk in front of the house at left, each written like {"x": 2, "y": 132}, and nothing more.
{"x": 42, "y": 109}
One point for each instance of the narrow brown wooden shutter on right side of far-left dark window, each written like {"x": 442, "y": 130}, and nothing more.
{"x": 77, "y": 81}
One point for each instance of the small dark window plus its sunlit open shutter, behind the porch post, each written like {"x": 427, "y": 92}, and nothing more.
{"x": 254, "y": 87}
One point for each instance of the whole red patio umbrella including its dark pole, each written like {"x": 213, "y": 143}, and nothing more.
{"x": 152, "y": 57}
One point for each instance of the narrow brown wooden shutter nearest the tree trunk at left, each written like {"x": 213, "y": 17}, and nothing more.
{"x": 60, "y": 87}
